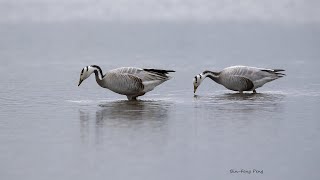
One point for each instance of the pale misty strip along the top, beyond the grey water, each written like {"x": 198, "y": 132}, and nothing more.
{"x": 272, "y": 11}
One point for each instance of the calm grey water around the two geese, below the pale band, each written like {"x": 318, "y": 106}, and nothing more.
{"x": 52, "y": 129}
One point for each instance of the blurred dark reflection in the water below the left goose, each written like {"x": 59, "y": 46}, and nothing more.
{"x": 125, "y": 119}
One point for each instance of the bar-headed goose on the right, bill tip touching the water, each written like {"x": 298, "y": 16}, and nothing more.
{"x": 240, "y": 78}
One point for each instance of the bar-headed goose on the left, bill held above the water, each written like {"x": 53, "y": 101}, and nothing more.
{"x": 129, "y": 81}
